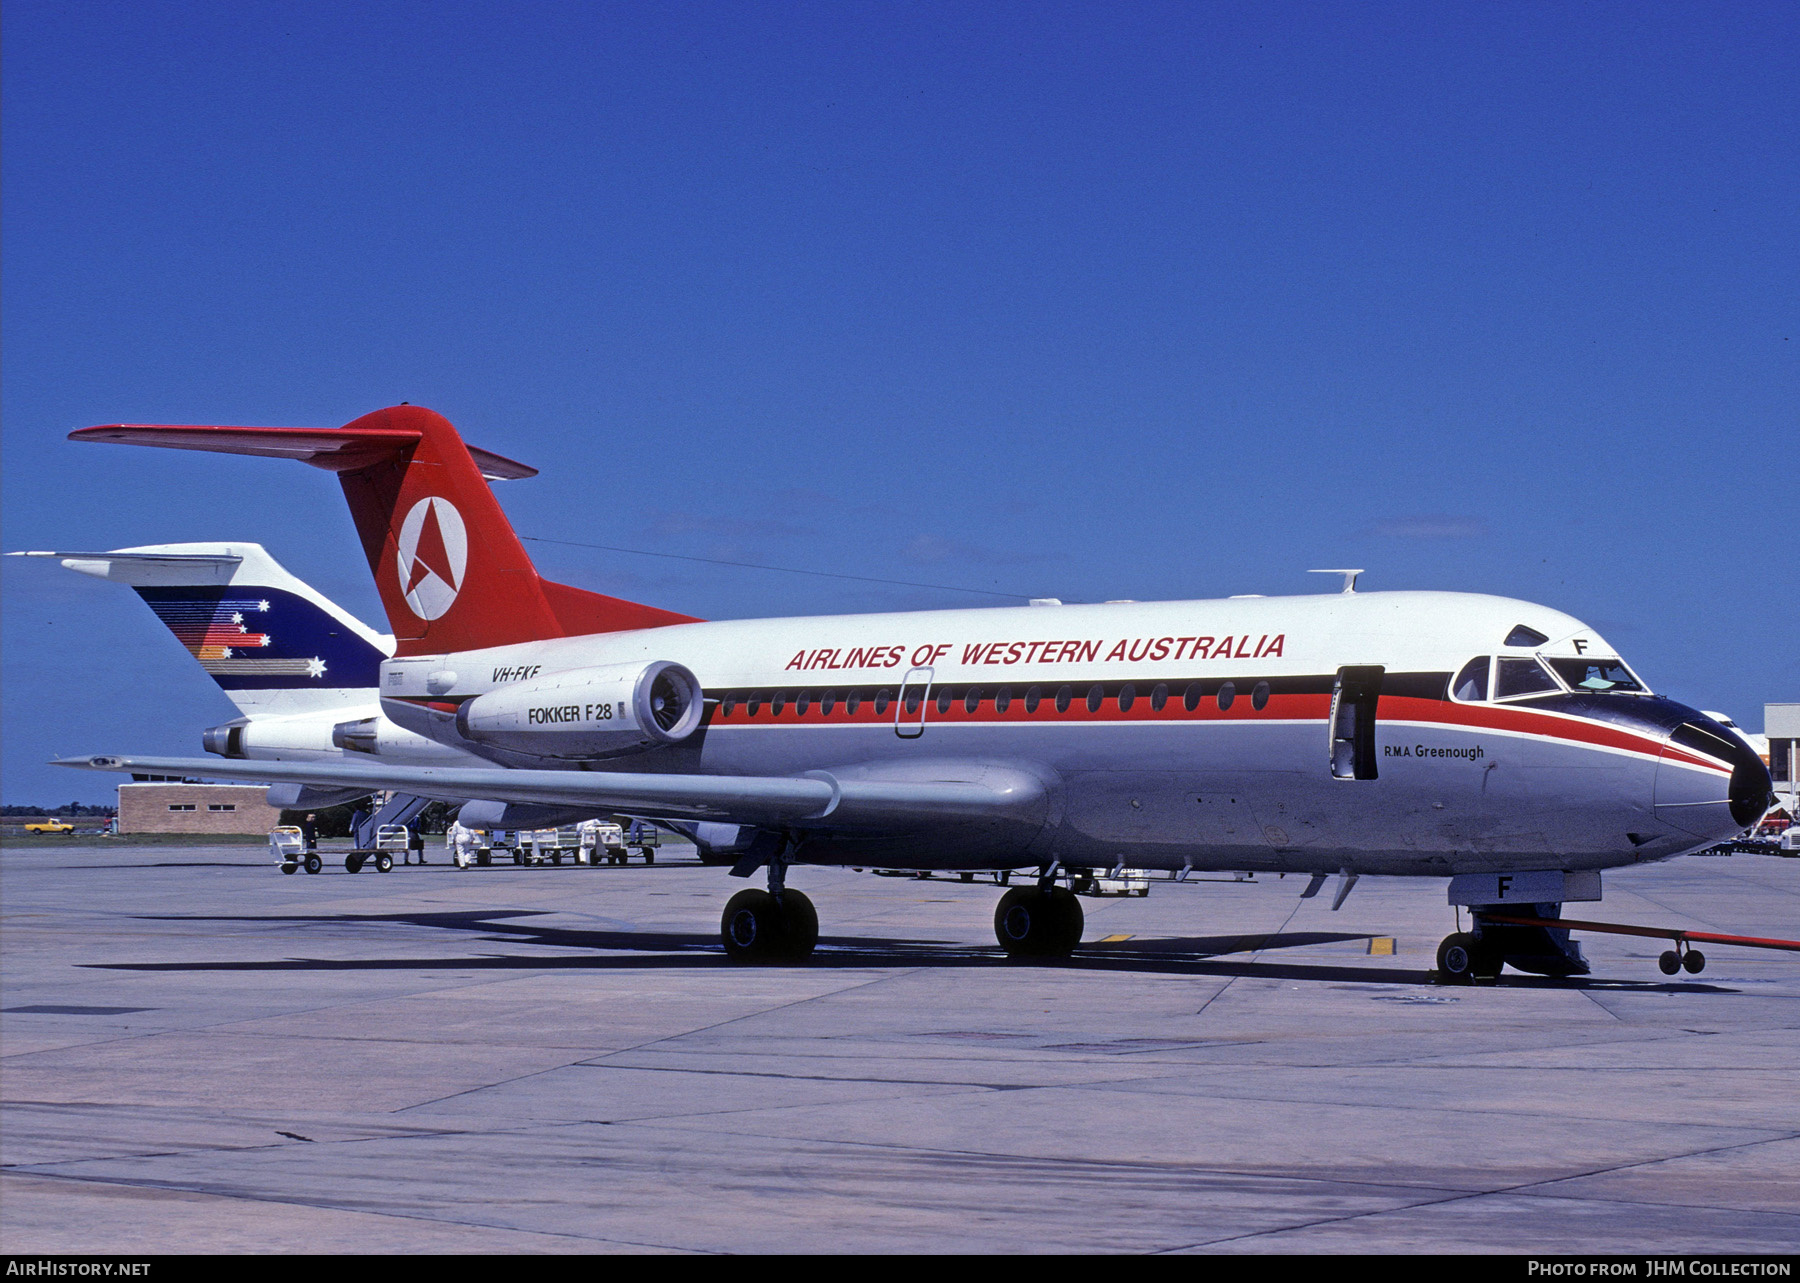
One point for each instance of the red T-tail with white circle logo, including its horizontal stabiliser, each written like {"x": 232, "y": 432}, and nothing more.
{"x": 451, "y": 571}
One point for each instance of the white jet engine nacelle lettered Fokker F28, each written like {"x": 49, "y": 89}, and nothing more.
{"x": 588, "y": 712}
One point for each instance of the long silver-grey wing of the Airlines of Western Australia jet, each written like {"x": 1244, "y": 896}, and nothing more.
{"x": 814, "y": 800}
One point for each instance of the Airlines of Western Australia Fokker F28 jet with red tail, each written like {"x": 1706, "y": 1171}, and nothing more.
{"x": 1491, "y": 742}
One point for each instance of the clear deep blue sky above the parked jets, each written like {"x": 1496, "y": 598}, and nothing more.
{"x": 1086, "y": 301}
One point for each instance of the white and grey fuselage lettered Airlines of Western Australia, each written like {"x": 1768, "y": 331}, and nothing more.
{"x": 1210, "y": 735}
